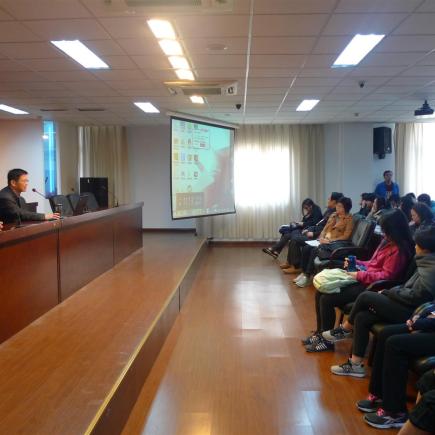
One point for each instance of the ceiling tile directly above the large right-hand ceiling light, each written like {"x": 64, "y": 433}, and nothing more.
{"x": 351, "y": 24}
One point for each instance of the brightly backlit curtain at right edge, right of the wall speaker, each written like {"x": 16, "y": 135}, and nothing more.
{"x": 415, "y": 154}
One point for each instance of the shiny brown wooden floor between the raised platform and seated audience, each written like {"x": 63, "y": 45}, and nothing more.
{"x": 233, "y": 363}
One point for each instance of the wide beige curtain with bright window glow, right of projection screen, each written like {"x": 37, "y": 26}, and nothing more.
{"x": 276, "y": 167}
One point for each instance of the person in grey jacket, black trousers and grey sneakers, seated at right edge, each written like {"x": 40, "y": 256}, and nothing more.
{"x": 388, "y": 306}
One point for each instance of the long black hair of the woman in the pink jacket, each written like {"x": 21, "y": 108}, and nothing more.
{"x": 396, "y": 228}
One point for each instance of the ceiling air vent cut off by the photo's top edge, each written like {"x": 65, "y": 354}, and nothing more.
{"x": 178, "y": 6}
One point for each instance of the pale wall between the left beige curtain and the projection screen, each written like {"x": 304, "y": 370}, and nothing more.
{"x": 149, "y": 165}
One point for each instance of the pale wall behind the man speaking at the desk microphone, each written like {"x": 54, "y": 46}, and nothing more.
{"x": 21, "y": 147}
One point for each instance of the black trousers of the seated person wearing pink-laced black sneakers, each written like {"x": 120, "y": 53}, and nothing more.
{"x": 395, "y": 348}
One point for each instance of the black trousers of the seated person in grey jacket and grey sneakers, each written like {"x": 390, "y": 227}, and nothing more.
{"x": 371, "y": 308}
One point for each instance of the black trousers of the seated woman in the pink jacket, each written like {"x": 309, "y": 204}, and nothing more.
{"x": 326, "y": 303}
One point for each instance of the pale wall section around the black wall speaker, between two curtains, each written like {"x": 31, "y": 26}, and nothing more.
{"x": 350, "y": 165}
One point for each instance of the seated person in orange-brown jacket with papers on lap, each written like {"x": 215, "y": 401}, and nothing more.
{"x": 338, "y": 228}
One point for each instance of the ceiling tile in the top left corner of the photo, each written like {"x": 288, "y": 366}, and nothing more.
{"x": 40, "y": 9}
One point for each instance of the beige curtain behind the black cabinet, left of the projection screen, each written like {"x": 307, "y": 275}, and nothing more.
{"x": 103, "y": 152}
